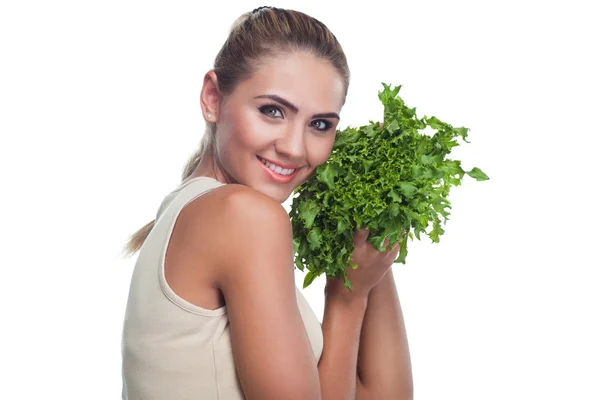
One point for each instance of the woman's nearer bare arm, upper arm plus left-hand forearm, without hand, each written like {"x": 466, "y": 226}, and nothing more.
{"x": 264, "y": 316}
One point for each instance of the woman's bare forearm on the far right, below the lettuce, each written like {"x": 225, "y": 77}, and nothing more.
{"x": 383, "y": 358}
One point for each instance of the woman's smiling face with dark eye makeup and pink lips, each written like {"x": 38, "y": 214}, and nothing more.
{"x": 286, "y": 113}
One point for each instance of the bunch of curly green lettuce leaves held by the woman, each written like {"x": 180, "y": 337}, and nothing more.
{"x": 388, "y": 178}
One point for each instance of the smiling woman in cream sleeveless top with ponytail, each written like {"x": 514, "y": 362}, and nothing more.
{"x": 213, "y": 309}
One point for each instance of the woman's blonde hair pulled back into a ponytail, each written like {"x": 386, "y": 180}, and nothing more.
{"x": 264, "y": 32}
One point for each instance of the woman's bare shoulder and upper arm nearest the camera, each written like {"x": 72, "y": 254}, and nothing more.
{"x": 270, "y": 346}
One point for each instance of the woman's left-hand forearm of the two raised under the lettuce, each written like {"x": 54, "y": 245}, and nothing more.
{"x": 342, "y": 321}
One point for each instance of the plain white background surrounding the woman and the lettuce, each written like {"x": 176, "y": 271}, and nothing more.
{"x": 99, "y": 111}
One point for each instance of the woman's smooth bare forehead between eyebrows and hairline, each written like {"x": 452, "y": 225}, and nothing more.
{"x": 311, "y": 84}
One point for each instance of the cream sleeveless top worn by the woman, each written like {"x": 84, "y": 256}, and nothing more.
{"x": 172, "y": 349}
